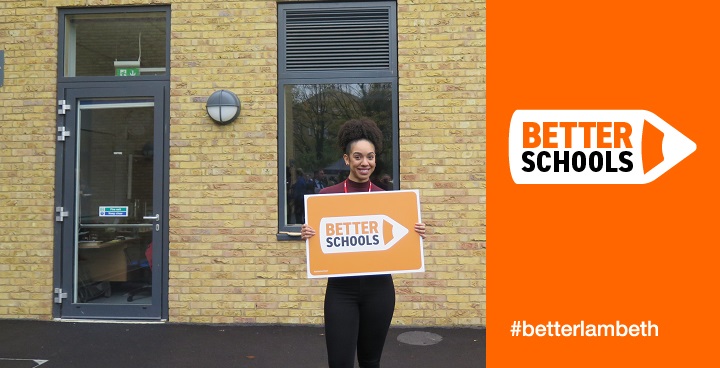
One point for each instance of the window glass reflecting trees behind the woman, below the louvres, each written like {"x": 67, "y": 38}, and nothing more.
{"x": 313, "y": 116}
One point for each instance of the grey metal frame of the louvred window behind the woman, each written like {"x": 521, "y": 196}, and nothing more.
{"x": 285, "y": 78}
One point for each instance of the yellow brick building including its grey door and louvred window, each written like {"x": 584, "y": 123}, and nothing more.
{"x": 120, "y": 198}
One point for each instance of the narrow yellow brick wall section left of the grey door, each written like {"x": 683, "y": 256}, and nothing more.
{"x": 28, "y": 32}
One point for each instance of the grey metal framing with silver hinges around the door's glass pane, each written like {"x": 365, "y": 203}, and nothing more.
{"x": 65, "y": 190}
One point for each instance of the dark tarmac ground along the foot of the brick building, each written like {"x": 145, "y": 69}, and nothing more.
{"x": 48, "y": 344}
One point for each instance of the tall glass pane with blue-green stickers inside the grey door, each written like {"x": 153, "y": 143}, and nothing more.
{"x": 114, "y": 201}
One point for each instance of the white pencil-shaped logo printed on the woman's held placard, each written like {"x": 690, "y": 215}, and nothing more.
{"x": 359, "y": 233}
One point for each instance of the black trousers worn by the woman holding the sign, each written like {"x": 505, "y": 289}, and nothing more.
{"x": 358, "y": 312}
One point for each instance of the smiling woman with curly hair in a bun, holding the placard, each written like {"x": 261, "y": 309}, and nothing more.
{"x": 358, "y": 309}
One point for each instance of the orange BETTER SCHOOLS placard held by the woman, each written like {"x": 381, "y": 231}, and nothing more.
{"x": 363, "y": 233}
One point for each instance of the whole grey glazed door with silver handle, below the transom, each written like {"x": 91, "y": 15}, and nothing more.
{"x": 111, "y": 216}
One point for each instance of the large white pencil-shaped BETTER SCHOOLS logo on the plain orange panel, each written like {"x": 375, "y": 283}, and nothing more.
{"x": 593, "y": 147}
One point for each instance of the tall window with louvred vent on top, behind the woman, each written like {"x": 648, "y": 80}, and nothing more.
{"x": 338, "y": 61}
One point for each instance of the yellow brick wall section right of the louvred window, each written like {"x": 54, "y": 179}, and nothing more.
{"x": 441, "y": 58}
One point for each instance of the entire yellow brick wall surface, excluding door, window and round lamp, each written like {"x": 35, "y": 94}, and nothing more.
{"x": 226, "y": 265}
